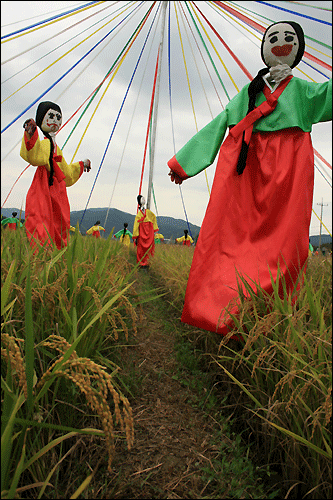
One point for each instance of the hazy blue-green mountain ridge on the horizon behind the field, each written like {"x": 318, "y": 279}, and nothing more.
{"x": 168, "y": 226}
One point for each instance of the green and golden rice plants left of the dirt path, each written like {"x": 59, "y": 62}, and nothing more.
{"x": 58, "y": 310}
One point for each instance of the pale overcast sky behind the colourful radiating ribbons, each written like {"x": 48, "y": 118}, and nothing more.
{"x": 122, "y": 122}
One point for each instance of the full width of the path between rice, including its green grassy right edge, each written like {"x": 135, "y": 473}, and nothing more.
{"x": 181, "y": 448}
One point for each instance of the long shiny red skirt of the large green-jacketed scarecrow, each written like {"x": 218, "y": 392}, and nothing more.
{"x": 254, "y": 223}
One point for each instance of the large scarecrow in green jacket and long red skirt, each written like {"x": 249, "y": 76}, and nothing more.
{"x": 257, "y": 220}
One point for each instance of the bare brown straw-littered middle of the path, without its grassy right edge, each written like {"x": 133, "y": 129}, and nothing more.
{"x": 173, "y": 439}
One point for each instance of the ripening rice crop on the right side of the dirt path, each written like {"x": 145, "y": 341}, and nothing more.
{"x": 283, "y": 369}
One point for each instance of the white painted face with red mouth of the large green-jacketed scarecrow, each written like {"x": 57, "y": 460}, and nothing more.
{"x": 280, "y": 45}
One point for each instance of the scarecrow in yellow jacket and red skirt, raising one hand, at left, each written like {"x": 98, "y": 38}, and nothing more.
{"x": 47, "y": 208}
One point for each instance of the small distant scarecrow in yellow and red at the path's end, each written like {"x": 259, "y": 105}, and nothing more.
{"x": 145, "y": 226}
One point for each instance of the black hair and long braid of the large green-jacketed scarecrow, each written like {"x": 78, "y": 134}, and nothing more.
{"x": 257, "y": 85}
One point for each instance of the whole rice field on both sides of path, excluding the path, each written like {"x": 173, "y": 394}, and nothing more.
{"x": 65, "y": 316}
